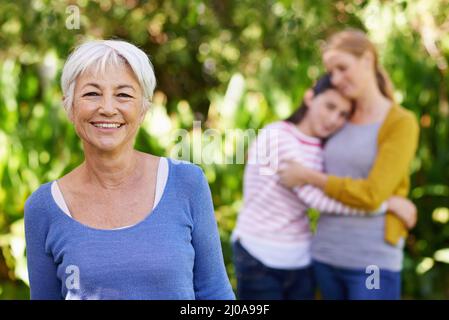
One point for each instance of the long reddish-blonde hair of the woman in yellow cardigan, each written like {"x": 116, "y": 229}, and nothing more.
{"x": 356, "y": 42}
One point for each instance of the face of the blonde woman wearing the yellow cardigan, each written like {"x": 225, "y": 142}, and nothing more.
{"x": 349, "y": 73}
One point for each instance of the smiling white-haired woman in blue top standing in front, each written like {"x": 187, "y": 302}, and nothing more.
{"x": 123, "y": 224}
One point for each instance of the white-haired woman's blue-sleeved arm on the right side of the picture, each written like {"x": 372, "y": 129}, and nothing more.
{"x": 209, "y": 273}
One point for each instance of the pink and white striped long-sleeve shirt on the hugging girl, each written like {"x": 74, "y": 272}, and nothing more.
{"x": 271, "y": 213}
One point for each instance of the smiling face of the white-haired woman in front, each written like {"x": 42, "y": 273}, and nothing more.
{"x": 107, "y": 108}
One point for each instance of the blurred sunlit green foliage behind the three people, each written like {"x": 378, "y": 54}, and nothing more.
{"x": 230, "y": 64}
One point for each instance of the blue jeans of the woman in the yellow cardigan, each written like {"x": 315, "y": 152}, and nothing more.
{"x": 351, "y": 284}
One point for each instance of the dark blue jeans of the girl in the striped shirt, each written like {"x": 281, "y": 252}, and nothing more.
{"x": 255, "y": 281}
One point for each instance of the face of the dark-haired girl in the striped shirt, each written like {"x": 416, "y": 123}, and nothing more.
{"x": 327, "y": 112}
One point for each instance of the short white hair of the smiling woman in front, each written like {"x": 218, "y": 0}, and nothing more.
{"x": 98, "y": 54}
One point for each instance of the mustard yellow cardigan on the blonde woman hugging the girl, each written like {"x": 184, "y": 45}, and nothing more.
{"x": 397, "y": 143}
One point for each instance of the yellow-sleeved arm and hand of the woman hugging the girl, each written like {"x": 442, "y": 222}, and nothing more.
{"x": 397, "y": 144}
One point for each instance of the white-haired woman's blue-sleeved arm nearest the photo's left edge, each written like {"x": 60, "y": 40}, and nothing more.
{"x": 44, "y": 284}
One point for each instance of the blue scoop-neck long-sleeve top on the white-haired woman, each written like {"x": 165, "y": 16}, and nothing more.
{"x": 174, "y": 253}
